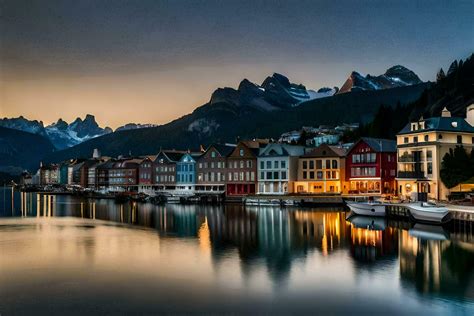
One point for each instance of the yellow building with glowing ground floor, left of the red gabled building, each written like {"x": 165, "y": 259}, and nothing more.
{"x": 321, "y": 171}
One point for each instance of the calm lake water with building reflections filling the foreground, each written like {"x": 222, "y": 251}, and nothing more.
{"x": 63, "y": 254}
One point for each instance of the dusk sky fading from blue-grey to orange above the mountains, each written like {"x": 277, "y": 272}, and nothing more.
{"x": 151, "y": 61}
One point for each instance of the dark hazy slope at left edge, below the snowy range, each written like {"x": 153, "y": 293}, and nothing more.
{"x": 21, "y": 150}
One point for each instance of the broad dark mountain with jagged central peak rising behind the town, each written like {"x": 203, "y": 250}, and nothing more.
{"x": 247, "y": 112}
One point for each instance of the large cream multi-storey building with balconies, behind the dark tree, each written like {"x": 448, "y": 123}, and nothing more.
{"x": 421, "y": 147}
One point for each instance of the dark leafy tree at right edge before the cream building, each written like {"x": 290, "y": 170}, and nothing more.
{"x": 456, "y": 167}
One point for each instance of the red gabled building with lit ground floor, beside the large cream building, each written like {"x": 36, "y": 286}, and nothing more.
{"x": 371, "y": 166}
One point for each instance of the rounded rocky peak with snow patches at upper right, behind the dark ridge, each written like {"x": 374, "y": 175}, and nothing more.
{"x": 396, "y": 76}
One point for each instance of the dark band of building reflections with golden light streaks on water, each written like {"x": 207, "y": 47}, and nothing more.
{"x": 431, "y": 260}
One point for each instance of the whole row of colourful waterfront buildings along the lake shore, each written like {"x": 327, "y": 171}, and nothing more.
{"x": 404, "y": 167}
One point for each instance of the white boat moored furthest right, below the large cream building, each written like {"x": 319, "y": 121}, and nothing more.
{"x": 429, "y": 213}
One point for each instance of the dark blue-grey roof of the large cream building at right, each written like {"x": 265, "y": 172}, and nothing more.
{"x": 442, "y": 124}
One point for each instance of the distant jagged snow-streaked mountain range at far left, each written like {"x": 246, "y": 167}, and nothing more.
{"x": 61, "y": 134}
